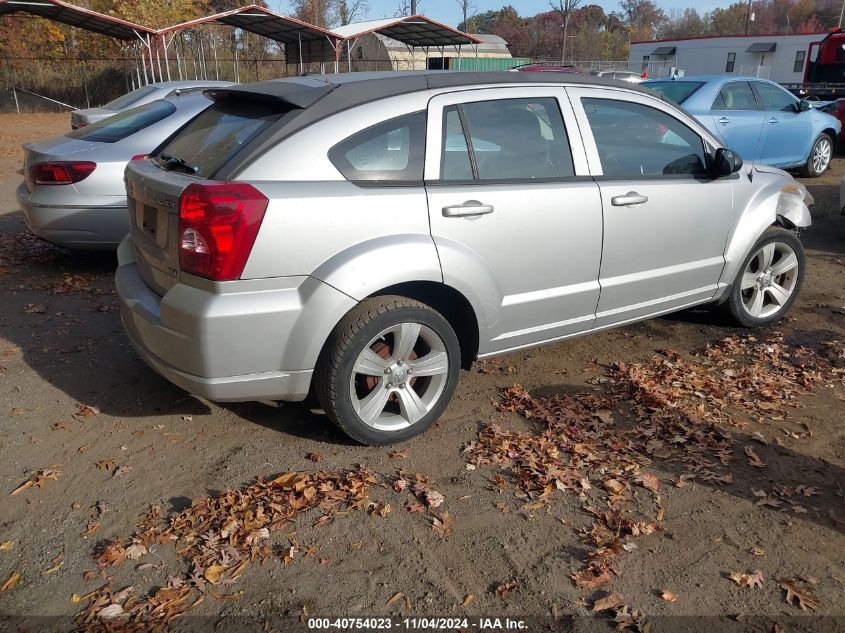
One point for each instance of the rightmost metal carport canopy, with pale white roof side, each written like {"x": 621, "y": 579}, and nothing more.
{"x": 417, "y": 31}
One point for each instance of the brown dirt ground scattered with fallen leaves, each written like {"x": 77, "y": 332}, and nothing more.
{"x": 103, "y": 438}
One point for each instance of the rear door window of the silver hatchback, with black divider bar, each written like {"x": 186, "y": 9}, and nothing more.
{"x": 507, "y": 139}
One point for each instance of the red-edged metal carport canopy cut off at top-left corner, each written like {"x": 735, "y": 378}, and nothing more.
{"x": 79, "y": 17}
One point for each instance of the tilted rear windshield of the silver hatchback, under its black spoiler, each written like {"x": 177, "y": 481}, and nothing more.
{"x": 210, "y": 140}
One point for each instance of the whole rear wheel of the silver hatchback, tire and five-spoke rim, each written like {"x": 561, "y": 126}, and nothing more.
{"x": 389, "y": 370}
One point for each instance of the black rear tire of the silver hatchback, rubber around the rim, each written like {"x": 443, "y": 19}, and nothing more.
{"x": 334, "y": 373}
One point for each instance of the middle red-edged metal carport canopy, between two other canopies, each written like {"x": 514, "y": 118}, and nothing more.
{"x": 314, "y": 43}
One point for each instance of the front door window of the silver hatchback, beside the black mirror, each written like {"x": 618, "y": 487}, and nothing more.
{"x": 636, "y": 141}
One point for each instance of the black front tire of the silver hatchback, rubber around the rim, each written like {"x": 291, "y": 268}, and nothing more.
{"x": 736, "y": 304}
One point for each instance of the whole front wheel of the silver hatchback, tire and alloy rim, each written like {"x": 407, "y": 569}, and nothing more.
{"x": 770, "y": 279}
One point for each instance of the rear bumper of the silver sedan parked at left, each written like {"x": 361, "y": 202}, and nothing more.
{"x": 83, "y": 227}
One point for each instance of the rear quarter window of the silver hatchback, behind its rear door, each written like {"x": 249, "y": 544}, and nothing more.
{"x": 390, "y": 152}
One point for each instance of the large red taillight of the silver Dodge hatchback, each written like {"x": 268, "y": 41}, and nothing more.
{"x": 218, "y": 224}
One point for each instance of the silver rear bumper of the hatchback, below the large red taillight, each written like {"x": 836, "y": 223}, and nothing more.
{"x": 232, "y": 346}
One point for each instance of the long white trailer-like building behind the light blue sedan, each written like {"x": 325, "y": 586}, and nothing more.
{"x": 781, "y": 58}
